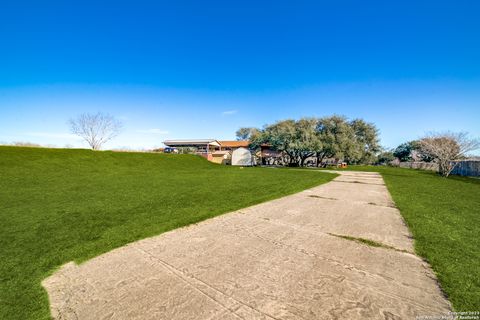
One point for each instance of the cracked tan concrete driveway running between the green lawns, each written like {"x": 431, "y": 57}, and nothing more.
{"x": 275, "y": 260}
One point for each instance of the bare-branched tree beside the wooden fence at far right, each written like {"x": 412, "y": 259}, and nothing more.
{"x": 447, "y": 148}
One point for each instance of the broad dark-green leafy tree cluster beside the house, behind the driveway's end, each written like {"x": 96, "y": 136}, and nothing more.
{"x": 354, "y": 141}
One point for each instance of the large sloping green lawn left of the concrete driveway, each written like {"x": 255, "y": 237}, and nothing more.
{"x": 59, "y": 205}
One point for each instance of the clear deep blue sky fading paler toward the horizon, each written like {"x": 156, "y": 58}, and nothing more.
{"x": 202, "y": 69}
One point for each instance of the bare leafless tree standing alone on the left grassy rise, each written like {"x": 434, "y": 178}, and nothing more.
{"x": 96, "y": 129}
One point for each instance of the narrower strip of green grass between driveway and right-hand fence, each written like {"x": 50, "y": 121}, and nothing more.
{"x": 443, "y": 215}
